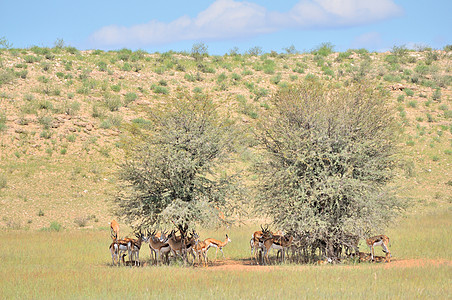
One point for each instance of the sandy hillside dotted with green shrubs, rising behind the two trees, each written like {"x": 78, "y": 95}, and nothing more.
{"x": 63, "y": 112}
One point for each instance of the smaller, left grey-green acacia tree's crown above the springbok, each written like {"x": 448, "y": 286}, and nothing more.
{"x": 171, "y": 174}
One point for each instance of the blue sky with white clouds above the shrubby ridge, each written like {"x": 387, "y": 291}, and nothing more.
{"x": 159, "y": 26}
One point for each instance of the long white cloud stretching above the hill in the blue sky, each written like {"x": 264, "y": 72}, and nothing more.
{"x": 234, "y": 19}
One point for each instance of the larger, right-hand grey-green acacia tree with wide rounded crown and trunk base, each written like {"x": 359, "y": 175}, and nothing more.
{"x": 328, "y": 156}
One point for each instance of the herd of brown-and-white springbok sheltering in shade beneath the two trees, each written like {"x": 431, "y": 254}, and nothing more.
{"x": 163, "y": 244}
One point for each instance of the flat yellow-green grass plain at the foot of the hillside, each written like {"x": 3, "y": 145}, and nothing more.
{"x": 78, "y": 265}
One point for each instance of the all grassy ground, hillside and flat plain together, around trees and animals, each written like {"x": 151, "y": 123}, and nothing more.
{"x": 63, "y": 115}
